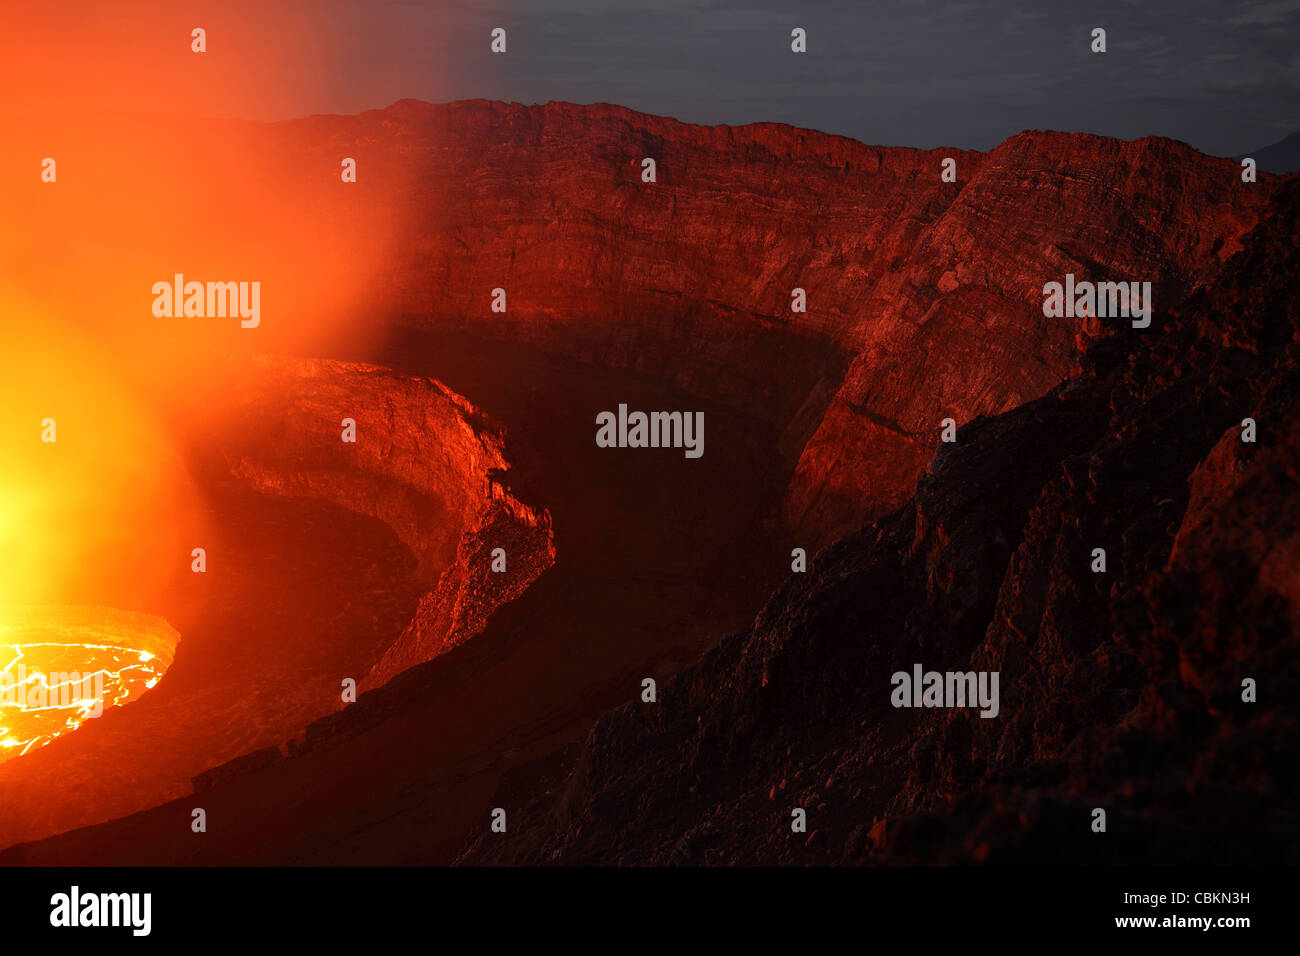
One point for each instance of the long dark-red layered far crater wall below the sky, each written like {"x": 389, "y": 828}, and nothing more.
{"x": 924, "y": 297}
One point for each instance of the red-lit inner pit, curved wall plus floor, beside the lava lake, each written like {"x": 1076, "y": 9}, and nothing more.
{"x": 305, "y": 585}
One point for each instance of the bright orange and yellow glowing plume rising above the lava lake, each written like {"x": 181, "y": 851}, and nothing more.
{"x": 146, "y": 189}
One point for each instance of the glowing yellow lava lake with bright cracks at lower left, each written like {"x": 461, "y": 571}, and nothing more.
{"x": 62, "y": 667}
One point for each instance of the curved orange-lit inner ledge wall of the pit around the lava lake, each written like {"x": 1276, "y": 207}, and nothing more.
{"x": 426, "y": 462}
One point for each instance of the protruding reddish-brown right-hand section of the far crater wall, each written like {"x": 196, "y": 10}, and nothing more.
{"x": 961, "y": 330}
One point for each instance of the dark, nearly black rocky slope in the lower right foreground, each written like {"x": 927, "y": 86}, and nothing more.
{"x": 1121, "y": 690}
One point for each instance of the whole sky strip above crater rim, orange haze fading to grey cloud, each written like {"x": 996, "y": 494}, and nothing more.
{"x": 1223, "y": 76}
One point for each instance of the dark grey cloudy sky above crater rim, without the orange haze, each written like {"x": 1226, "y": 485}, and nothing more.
{"x": 1221, "y": 76}
